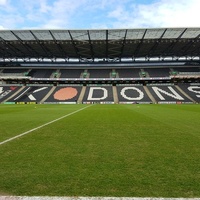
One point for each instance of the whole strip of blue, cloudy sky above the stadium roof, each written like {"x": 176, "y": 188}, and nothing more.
{"x": 95, "y": 14}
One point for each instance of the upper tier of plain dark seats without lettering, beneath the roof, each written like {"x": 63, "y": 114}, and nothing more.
{"x": 101, "y": 73}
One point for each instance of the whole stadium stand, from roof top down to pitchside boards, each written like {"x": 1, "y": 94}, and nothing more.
{"x": 160, "y": 65}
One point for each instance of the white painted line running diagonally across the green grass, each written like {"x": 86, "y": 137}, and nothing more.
{"x": 34, "y": 129}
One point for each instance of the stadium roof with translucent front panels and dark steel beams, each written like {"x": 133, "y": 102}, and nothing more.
{"x": 100, "y": 44}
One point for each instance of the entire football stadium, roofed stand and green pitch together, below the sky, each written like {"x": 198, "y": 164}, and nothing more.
{"x": 82, "y": 115}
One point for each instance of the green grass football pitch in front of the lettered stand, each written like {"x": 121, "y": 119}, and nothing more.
{"x": 100, "y": 150}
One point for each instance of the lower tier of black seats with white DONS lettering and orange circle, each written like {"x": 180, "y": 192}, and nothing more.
{"x": 161, "y": 93}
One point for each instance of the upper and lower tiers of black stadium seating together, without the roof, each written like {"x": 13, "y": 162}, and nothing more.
{"x": 119, "y": 90}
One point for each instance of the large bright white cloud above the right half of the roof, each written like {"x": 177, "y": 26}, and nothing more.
{"x": 163, "y": 13}
